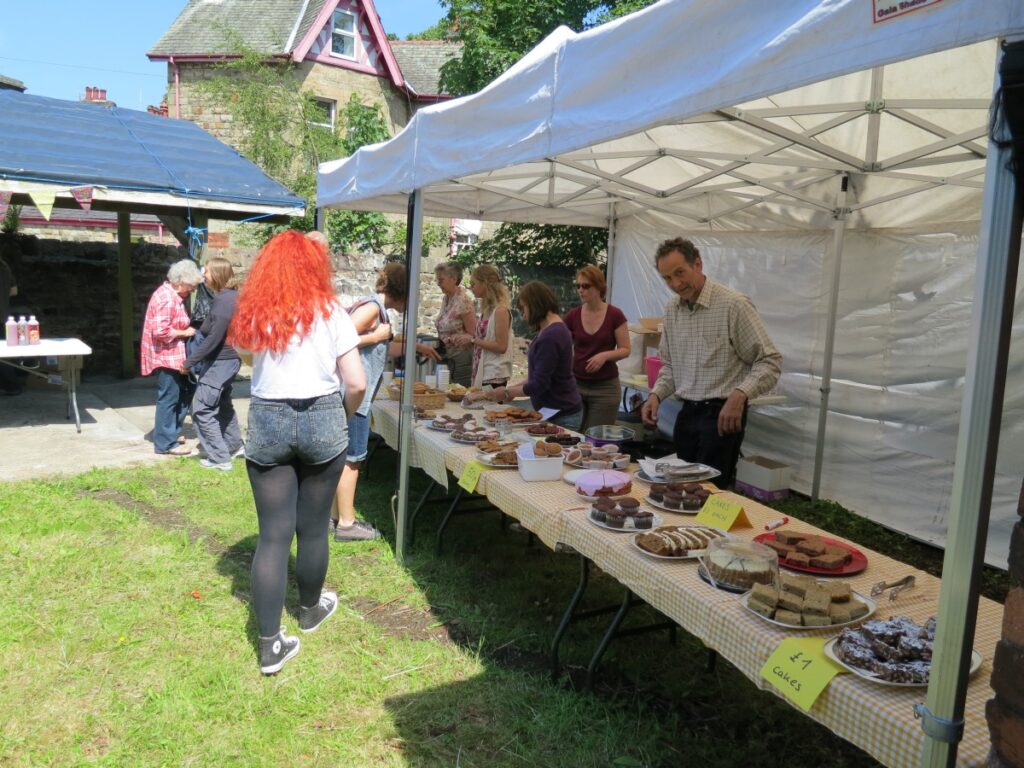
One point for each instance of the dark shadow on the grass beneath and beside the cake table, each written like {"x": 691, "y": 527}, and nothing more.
{"x": 500, "y": 595}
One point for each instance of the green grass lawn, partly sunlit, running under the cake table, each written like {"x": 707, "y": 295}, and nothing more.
{"x": 130, "y": 642}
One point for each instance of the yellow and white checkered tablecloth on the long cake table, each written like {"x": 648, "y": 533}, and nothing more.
{"x": 879, "y": 719}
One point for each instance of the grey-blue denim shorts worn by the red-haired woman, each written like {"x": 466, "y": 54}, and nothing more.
{"x": 310, "y": 432}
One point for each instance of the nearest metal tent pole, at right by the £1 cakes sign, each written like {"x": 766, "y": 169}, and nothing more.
{"x": 977, "y": 446}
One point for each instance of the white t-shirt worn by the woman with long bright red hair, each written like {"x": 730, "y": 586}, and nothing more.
{"x": 309, "y": 367}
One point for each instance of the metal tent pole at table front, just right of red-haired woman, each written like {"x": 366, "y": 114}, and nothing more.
{"x": 415, "y": 229}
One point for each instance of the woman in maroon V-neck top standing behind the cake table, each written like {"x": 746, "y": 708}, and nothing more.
{"x": 601, "y": 337}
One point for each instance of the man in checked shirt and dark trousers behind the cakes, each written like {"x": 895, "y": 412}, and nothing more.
{"x": 716, "y": 358}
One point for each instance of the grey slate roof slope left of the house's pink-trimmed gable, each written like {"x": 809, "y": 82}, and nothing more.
{"x": 211, "y": 27}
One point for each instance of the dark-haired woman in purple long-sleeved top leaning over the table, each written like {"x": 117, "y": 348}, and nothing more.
{"x": 549, "y": 362}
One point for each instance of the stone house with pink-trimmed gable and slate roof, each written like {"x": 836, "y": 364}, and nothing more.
{"x": 338, "y": 49}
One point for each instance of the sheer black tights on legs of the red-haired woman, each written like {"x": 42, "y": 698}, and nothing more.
{"x": 292, "y": 499}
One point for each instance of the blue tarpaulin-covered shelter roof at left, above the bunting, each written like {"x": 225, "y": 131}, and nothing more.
{"x": 136, "y": 161}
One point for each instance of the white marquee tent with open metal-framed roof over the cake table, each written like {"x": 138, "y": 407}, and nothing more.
{"x": 830, "y": 158}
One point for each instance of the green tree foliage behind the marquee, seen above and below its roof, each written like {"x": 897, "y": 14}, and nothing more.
{"x": 496, "y": 34}
